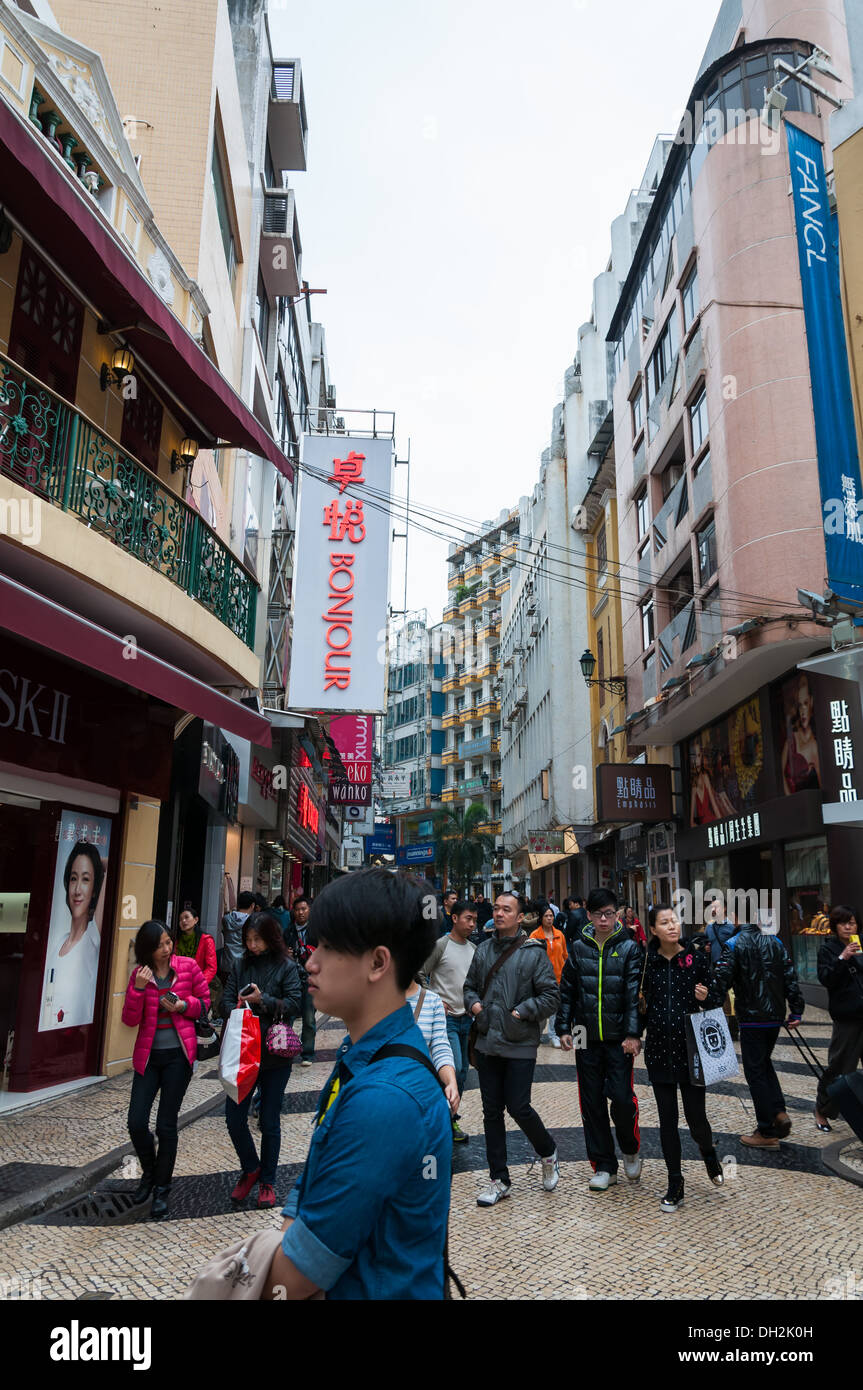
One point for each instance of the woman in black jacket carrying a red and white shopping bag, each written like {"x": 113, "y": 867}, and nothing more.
{"x": 270, "y": 983}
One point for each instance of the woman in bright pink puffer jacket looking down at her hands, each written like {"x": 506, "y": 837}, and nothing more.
{"x": 165, "y": 997}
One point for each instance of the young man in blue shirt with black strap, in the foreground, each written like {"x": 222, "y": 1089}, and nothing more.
{"x": 368, "y": 1217}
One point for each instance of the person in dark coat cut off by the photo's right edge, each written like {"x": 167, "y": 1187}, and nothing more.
{"x": 841, "y": 974}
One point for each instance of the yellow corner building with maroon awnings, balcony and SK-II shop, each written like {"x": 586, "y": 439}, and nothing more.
{"x": 124, "y": 612}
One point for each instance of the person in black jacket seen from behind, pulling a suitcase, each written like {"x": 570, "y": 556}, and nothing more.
{"x": 758, "y": 968}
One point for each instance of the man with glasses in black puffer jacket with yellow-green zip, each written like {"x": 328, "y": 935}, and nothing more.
{"x": 600, "y": 995}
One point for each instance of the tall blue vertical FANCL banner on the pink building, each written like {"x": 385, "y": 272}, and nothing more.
{"x": 835, "y": 420}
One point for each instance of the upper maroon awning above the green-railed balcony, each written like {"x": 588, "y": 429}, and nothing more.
{"x": 41, "y": 194}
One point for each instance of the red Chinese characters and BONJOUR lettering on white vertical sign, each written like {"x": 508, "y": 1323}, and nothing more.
{"x": 348, "y": 526}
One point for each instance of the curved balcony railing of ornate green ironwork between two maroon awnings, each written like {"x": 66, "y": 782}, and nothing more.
{"x": 54, "y": 451}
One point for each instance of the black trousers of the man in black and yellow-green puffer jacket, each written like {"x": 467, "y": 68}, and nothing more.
{"x": 605, "y": 1070}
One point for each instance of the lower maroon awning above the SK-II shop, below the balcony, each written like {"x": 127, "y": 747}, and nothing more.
{"x": 37, "y": 619}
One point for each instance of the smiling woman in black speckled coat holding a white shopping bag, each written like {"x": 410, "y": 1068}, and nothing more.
{"x": 675, "y": 982}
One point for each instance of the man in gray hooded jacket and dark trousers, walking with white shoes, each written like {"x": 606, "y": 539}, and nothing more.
{"x": 509, "y": 1013}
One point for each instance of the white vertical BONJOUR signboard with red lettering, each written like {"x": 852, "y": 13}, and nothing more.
{"x": 341, "y": 583}
